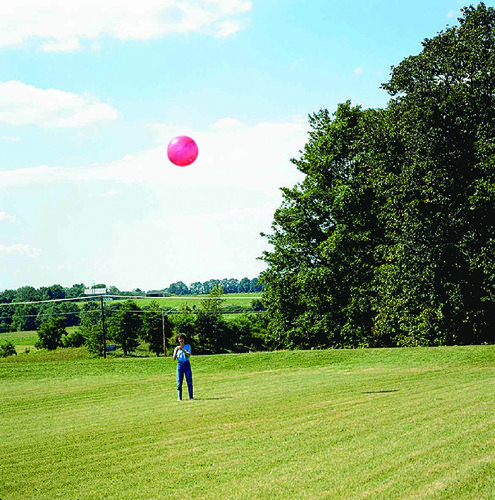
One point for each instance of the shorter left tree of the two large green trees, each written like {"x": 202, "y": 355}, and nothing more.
{"x": 321, "y": 267}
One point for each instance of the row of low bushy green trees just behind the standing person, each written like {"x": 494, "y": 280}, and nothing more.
{"x": 207, "y": 330}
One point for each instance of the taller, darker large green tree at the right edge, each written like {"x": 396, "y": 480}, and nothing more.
{"x": 437, "y": 285}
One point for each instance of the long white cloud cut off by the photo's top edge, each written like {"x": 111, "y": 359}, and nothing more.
{"x": 60, "y": 25}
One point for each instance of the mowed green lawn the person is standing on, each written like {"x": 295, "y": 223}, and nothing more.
{"x": 338, "y": 424}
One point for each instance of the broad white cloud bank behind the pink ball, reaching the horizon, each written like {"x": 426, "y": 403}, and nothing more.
{"x": 193, "y": 223}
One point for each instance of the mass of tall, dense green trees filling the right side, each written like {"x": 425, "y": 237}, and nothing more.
{"x": 389, "y": 240}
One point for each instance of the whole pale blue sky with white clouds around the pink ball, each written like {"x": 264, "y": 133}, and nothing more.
{"x": 92, "y": 91}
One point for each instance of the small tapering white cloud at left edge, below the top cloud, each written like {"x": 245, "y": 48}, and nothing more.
{"x": 22, "y": 104}
